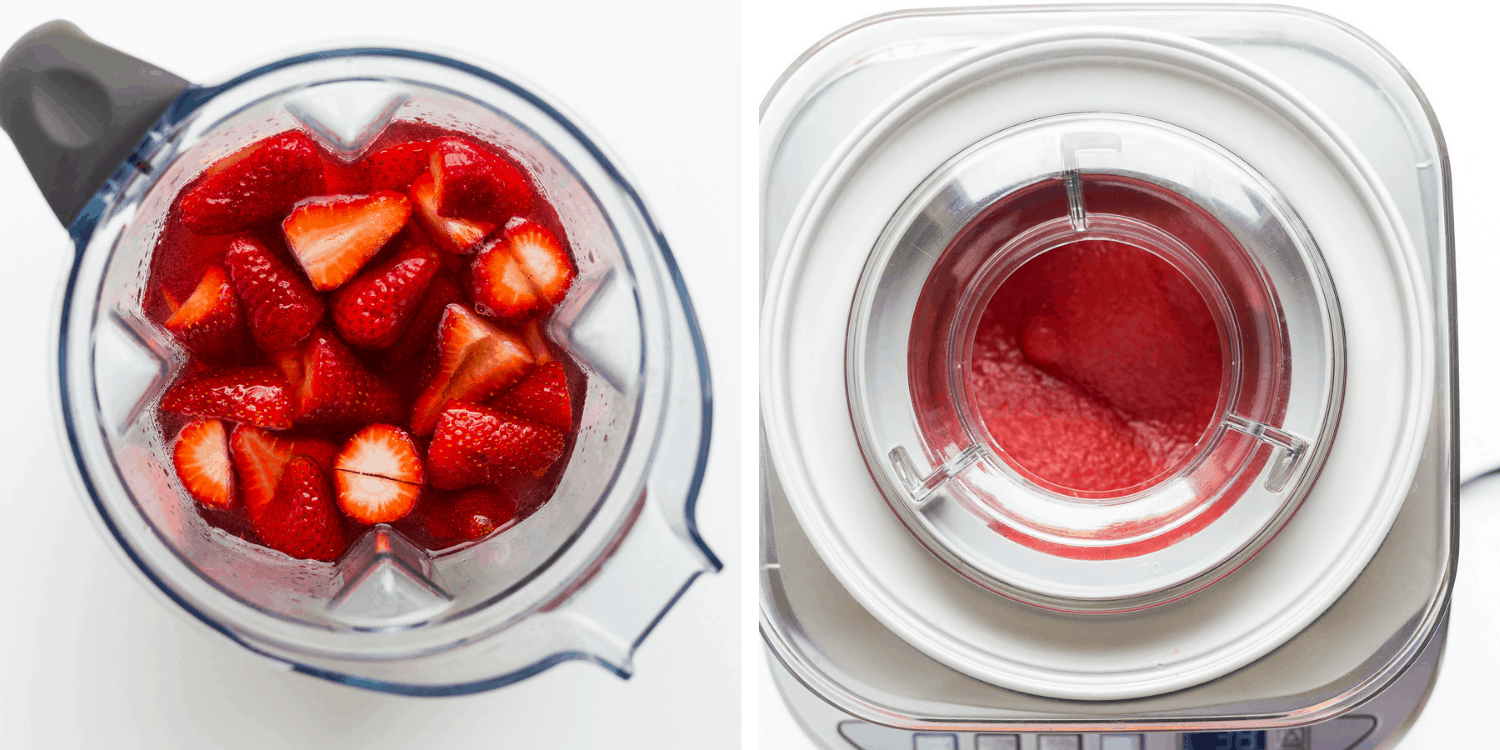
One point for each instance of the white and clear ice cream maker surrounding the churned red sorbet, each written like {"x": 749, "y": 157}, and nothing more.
{"x": 1286, "y": 584}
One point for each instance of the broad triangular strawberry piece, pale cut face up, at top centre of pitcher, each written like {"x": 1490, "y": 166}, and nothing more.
{"x": 334, "y": 236}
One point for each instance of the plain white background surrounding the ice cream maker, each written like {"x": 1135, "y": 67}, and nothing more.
{"x": 1450, "y": 49}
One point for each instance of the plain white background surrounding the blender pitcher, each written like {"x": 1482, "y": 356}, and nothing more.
{"x": 89, "y": 659}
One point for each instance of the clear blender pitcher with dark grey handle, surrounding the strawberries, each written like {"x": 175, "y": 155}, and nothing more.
{"x": 112, "y": 140}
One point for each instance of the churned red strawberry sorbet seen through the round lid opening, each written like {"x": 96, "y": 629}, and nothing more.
{"x": 1097, "y": 367}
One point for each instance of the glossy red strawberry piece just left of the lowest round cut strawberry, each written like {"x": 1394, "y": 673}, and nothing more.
{"x": 302, "y": 520}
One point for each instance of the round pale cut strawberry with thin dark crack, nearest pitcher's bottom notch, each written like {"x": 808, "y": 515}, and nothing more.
{"x": 379, "y": 475}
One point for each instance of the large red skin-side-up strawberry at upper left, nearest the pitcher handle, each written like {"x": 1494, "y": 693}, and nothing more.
{"x": 254, "y": 185}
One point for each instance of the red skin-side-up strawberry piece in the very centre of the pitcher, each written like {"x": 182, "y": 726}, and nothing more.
{"x": 338, "y": 389}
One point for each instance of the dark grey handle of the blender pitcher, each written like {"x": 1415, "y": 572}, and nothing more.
{"x": 77, "y": 109}
